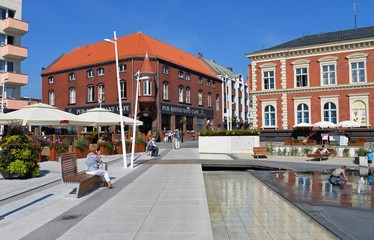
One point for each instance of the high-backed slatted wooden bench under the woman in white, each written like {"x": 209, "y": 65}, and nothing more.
{"x": 69, "y": 171}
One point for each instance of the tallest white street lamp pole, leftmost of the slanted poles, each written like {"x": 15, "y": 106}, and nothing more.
{"x": 119, "y": 99}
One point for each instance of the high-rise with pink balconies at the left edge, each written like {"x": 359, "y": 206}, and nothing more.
{"x": 12, "y": 53}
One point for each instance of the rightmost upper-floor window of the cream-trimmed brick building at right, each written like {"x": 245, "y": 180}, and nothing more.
{"x": 357, "y": 67}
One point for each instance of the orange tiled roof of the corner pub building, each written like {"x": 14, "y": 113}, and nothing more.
{"x": 137, "y": 44}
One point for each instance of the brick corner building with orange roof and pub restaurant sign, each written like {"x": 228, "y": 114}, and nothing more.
{"x": 177, "y": 90}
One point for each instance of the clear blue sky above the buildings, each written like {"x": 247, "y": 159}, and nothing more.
{"x": 222, "y": 30}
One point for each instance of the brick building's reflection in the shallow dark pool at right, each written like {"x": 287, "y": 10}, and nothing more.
{"x": 315, "y": 188}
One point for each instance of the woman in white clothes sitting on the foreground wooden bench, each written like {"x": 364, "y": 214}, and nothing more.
{"x": 93, "y": 162}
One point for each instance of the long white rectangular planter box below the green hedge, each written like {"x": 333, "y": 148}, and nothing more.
{"x": 228, "y": 144}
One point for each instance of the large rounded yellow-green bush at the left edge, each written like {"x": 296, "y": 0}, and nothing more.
{"x": 18, "y": 156}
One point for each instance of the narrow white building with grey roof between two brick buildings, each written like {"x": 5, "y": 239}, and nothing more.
{"x": 235, "y": 101}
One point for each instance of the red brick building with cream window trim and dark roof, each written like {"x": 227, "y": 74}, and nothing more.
{"x": 322, "y": 77}
